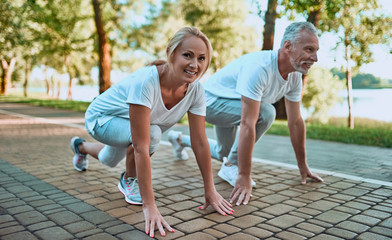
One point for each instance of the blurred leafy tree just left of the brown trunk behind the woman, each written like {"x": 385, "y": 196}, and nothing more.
{"x": 63, "y": 29}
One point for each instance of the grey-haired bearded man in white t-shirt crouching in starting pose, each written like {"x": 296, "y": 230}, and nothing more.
{"x": 242, "y": 93}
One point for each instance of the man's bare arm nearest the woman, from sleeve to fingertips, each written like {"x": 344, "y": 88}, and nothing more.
{"x": 250, "y": 110}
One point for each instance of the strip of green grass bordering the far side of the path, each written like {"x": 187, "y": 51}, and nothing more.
{"x": 366, "y": 132}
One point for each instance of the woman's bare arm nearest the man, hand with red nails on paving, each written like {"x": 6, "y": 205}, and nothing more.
{"x": 201, "y": 150}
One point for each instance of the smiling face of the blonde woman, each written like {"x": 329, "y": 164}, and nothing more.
{"x": 190, "y": 59}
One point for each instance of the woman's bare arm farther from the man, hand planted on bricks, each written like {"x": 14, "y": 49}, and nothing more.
{"x": 140, "y": 130}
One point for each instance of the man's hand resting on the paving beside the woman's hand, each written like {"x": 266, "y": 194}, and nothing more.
{"x": 242, "y": 190}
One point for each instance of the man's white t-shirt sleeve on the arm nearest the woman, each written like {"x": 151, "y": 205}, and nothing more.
{"x": 251, "y": 81}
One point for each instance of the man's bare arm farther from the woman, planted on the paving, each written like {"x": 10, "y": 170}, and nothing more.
{"x": 298, "y": 135}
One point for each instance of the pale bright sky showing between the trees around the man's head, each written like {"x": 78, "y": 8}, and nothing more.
{"x": 329, "y": 58}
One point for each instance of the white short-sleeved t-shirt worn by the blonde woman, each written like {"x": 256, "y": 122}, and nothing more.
{"x": 142, "y": 87}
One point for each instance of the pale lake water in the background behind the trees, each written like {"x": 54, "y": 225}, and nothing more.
{"x": 368, "y": 103}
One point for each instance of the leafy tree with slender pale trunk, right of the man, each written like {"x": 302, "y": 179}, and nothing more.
{"x": 359, "y": 26}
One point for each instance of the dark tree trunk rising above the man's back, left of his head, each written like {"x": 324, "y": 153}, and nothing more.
{"x": 269, "y": 26}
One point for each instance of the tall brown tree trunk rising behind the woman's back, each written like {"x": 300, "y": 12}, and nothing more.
{"x": 104, "y": 50}
